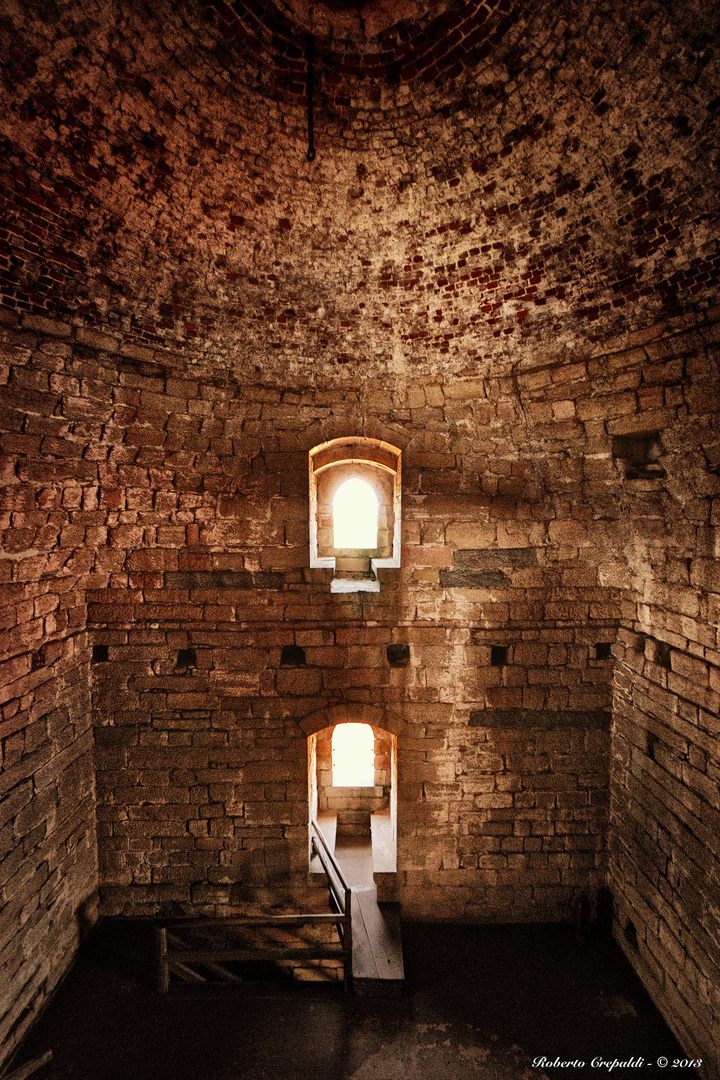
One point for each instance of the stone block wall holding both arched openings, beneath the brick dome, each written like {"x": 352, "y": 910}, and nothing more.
{"x": 183, "y": 522}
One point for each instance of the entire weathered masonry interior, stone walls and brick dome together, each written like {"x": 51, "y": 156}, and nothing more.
{"x": 504, "y": 263}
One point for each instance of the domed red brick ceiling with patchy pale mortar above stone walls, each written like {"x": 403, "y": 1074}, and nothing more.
{"x": 493, "y": 179}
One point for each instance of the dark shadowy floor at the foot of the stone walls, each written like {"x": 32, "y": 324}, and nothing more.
{"x": 481, "y": 1004}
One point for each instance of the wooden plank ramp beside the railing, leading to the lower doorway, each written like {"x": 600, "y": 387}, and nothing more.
{"x": 377, "y": 944}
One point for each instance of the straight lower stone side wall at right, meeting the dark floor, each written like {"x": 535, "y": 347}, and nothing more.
{"x": 665, "y": 853}
